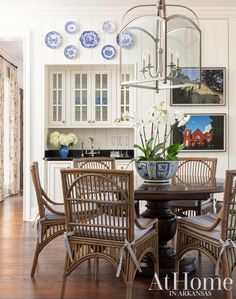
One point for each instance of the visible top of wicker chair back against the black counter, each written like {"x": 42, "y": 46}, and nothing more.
{"x": 95, "y": 162}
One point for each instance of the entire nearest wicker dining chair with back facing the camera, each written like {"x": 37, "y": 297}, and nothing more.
{"x": 101, "y": 223}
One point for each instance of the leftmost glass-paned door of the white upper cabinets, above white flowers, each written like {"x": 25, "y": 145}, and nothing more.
{"x": 57, "y": 98}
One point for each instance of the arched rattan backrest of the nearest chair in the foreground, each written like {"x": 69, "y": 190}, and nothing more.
{"x": 104, "y": 198}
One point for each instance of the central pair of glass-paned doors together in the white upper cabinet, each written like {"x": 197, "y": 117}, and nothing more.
{"x": 91, "y": 97}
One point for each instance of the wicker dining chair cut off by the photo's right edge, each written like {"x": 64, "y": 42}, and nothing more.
{"x": 206, "y": 234}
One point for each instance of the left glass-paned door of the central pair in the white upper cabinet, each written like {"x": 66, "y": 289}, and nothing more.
{"x": 80, "y": 97}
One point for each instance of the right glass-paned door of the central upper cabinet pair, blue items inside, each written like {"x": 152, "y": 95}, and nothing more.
{"x": 102, "y": 97}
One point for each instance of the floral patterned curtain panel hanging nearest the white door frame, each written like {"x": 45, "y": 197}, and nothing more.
{"x": 14, "y": 136}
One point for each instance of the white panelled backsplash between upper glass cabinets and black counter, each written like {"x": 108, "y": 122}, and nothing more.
{"x": 122, "y": 138}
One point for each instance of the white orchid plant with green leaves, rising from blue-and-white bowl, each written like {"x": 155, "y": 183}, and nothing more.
{"x": 162, "y": 121}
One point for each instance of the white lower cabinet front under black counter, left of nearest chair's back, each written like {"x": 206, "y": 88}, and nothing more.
{"x": 53, "y": 178}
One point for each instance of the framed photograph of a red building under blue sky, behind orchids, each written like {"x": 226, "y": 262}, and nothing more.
{"x": 203, "y": 132}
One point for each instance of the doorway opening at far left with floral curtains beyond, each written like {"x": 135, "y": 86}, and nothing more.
{"x": 12, "y": 55}
